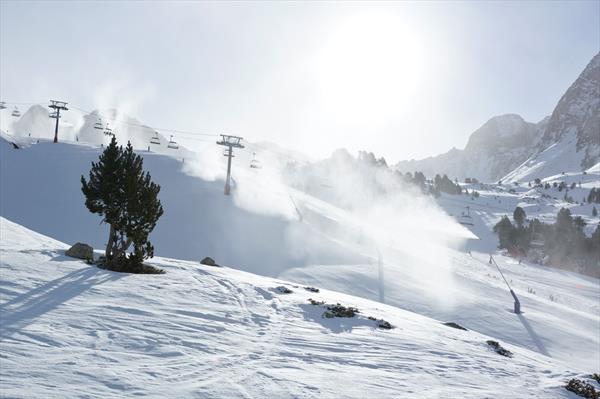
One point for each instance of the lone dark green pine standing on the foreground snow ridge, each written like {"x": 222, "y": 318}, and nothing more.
{"x": 124, "y": 195}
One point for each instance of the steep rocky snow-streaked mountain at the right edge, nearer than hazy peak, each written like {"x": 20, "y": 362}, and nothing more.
{"x": 571, "y": 139}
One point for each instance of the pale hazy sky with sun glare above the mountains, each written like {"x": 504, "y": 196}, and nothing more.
{"x": 402, "y": 79}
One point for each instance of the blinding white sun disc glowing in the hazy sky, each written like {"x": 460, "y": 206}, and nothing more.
{"x": 369, "y": 68}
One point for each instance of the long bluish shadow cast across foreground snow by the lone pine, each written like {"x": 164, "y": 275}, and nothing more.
{"x": 23, "y": 309}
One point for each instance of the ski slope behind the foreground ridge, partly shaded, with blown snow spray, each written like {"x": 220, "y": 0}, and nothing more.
{"x": 258, "y": 230}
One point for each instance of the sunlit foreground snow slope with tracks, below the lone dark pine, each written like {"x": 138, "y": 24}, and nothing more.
{"x": 72, "y": 330}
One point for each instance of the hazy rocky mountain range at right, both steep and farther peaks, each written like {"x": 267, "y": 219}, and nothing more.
{"x": 510, "y": 148}
